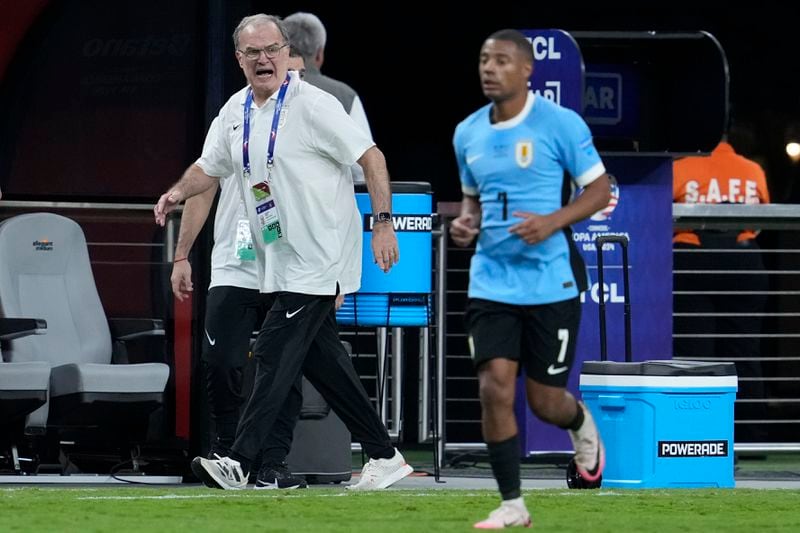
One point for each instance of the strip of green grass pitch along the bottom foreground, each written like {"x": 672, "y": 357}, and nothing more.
{"x": 192, "y": 509}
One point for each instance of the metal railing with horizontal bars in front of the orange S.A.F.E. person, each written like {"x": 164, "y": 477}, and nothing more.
{"x": 768, "y": 401}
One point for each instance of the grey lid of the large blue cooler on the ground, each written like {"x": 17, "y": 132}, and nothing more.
{"x": 659, "y": 368}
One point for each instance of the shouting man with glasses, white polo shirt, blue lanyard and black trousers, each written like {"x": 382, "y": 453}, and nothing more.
{"x": 288, "y": 146}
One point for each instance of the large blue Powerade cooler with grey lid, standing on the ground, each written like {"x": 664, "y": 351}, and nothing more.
{"x": 665, "y": 424}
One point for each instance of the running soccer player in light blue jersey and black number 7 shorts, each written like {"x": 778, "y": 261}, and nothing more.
{"x": 526, "y": 276}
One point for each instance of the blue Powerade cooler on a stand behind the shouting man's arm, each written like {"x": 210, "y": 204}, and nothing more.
{"x": 401, "y": 297}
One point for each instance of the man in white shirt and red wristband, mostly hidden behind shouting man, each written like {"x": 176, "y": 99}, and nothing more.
{"x": 235, "y": 307}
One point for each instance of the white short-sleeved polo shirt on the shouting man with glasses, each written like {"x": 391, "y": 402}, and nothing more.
{"x": 311, "y": 183}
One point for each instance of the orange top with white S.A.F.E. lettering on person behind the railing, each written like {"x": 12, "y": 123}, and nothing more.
{"x": 722, "y": 177}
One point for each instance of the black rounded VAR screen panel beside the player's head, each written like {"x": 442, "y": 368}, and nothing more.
{"x": 654, "y": 91}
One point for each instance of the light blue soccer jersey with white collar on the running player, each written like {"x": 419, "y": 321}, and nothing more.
{"x": 519, "y": 165}
